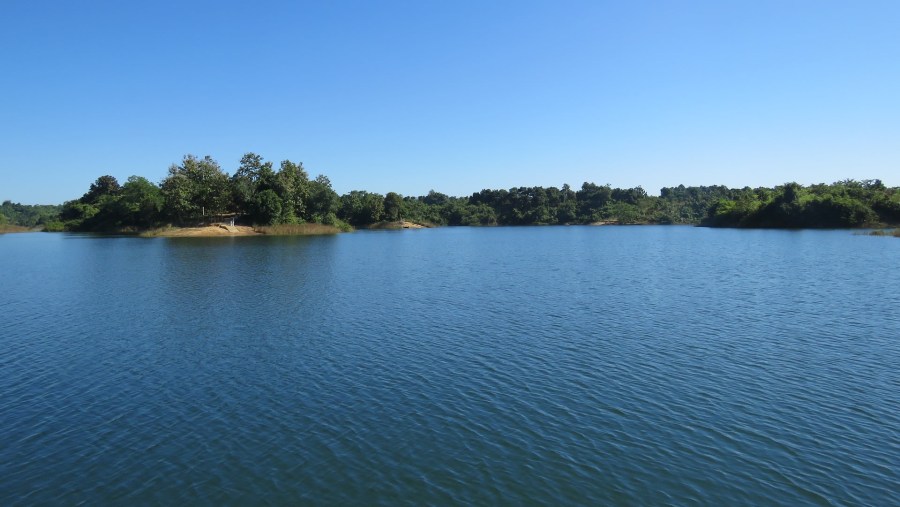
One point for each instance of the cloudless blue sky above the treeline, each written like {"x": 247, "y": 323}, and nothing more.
{"x": 451, "y": 95}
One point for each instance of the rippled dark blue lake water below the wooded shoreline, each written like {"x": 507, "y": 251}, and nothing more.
{"x": 467, "y": 366}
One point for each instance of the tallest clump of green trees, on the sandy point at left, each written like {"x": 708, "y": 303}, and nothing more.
{"x": 198, "y": 192}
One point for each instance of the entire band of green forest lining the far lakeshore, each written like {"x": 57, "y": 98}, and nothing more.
{"x": 198, "y": 191}
